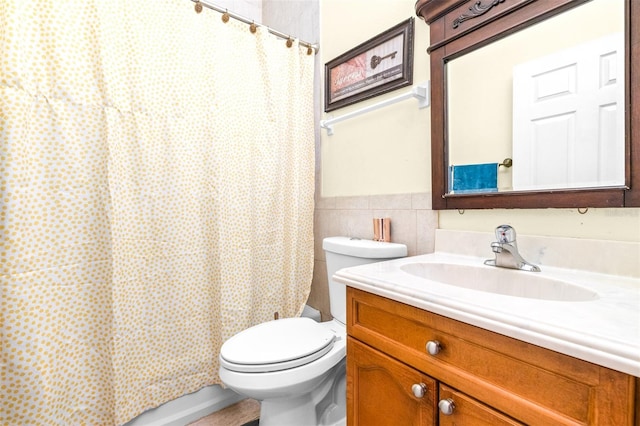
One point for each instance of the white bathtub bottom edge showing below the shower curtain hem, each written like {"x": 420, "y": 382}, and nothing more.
{"x": 188, "y": 408}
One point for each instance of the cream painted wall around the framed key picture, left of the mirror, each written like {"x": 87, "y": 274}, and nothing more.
{"x": 385, "y": 151}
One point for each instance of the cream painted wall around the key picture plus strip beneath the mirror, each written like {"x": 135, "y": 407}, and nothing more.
{"x": 387, "y": 151}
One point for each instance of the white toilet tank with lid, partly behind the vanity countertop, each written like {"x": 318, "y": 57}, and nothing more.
{"x": 344, "y": 252}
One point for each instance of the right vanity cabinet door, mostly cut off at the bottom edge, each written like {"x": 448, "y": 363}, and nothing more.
{"x": 462, "y": 410}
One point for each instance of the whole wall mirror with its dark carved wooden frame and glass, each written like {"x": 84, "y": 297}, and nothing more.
{"x": 491, "y": 64}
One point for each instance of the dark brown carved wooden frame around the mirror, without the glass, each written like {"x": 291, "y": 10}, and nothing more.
{"x": 460, "y": 26}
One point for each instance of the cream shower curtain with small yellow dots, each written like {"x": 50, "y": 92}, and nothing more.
{"x": 156, "y": 198}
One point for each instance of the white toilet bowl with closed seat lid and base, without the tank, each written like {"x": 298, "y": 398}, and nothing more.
{"x": 290, "y": 387}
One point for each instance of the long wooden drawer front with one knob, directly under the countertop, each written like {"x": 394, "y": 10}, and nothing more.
{"x": 527, "y": 382}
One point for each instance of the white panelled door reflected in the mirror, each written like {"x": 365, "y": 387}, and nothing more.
{"x": 568, "y": 118}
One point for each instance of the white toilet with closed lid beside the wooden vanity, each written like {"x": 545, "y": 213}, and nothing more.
{"x": 296, "y": 366}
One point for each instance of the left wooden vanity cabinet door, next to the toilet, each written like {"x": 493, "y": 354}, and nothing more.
{"x": 380, "y": 390}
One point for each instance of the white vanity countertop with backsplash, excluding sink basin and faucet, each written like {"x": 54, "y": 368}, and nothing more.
{"x": 605, "y": 331}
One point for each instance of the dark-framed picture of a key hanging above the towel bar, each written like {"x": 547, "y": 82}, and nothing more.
{"x": 377, "y": 66}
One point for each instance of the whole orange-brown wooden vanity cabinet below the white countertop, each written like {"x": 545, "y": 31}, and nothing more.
{"x": 491, "y": 379}
